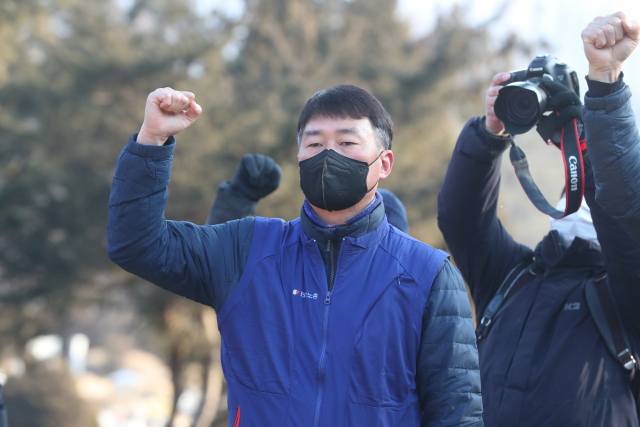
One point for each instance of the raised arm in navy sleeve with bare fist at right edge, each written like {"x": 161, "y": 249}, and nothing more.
{"x": 613, "y": 141}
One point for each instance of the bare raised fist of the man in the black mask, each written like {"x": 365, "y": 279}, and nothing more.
{"x": 167, "y": 113}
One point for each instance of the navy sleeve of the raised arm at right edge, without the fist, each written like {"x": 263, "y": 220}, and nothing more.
{"x": 613, "y": 144}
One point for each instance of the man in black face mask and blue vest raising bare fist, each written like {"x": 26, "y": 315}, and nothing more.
{"x": 335, "y": 318}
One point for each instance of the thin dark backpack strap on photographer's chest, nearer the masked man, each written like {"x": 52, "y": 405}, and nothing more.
{"x": 518, "y": 278}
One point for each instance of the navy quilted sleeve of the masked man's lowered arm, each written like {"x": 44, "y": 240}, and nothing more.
{"x": 448, "y": 377}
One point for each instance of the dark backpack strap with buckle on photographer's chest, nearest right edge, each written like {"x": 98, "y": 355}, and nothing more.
{"x": 604, "y": 312}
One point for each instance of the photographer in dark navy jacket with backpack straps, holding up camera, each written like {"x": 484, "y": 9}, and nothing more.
{"x": 544, "y": 361}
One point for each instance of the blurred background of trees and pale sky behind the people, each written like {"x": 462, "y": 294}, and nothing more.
{"x": 82, "y": 343}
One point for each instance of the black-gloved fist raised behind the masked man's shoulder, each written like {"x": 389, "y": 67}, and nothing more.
{"x": 257, "y": 176}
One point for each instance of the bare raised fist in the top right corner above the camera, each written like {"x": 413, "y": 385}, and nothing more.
{"x": 608, "y": 42}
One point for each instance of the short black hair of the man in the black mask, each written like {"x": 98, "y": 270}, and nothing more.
{"x": 348, "y": 102}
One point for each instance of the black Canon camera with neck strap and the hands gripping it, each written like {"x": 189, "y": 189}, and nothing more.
{"x": 545, "y": 86}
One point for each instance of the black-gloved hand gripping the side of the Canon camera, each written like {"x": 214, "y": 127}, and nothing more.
{"x": 565, "y": 105}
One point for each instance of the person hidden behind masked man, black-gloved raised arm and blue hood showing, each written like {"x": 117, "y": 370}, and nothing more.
{"x": 257, "y": 176}
